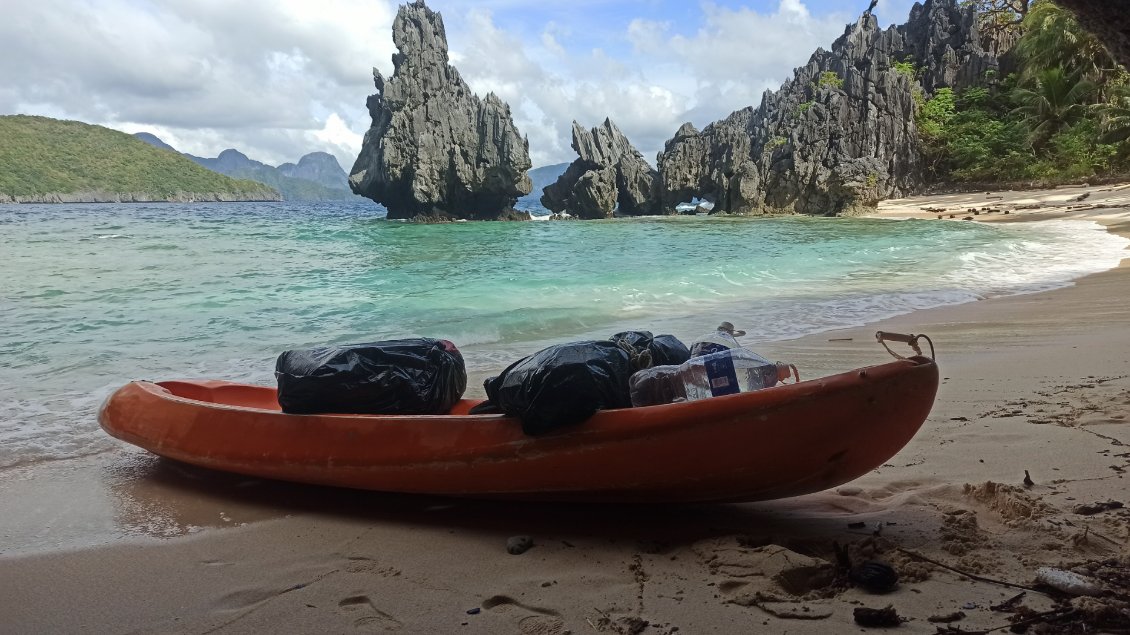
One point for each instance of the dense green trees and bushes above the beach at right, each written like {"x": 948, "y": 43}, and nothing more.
{"x": 1064, "y": 116}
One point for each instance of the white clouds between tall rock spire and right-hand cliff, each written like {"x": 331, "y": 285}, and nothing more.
{"x": 668, "y": 77}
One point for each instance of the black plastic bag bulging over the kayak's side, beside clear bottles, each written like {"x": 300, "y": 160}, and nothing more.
{"x": 562, "y": 385}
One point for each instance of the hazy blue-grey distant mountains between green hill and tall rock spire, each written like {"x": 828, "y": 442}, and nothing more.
{"x": 317, "y": 177}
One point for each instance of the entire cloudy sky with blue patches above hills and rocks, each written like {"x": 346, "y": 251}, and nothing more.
{"x": 277, "y": 80}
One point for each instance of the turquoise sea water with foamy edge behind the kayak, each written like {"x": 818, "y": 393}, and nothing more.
{"x": 93, "y": 297}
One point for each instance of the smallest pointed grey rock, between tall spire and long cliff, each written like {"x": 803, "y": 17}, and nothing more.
{"x": 609, "y": 177}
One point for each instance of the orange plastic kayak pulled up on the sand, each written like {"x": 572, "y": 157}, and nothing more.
{"x": 784, "y": 441}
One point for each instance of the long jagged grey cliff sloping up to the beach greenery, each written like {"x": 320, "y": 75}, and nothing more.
{"x": 840, "y": 135}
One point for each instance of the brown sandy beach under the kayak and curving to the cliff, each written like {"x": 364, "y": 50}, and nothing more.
{"x": 1037, "y": 384}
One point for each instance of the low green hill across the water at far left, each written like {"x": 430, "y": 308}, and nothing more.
{"x": 44, "y": 156}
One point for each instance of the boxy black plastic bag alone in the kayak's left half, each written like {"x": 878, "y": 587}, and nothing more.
{"x": 410, "y": 377}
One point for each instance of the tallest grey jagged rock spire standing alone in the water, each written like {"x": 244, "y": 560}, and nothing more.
{"x": 436, "y": 150}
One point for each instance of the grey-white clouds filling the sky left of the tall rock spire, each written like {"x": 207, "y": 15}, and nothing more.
{"x": 267, "y": 76}
